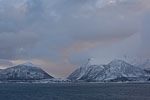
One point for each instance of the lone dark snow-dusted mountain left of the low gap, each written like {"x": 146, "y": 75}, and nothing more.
{"x": 26, "y": 71}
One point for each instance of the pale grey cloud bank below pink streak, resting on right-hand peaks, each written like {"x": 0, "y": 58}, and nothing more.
{"x": 105, "y": 53}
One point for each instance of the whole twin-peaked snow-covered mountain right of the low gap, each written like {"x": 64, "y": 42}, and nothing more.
{"x": 117, "y": 70}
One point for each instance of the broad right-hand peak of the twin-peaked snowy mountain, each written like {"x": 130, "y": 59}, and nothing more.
{"x": 119, "y": 69}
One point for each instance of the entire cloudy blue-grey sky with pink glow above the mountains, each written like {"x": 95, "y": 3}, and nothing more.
{"x": 61, "y": 35}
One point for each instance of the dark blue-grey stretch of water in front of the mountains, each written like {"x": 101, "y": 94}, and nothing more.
{"x": 84, "y": 91}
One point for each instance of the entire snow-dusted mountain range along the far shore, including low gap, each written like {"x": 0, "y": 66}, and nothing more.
{"x": 115, "y": 71}
